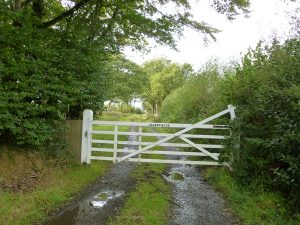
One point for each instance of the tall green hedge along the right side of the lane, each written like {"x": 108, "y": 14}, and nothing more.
{"x": 266, "y": 91}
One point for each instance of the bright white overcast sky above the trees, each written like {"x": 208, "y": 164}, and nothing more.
{"x": 268, "y": 18}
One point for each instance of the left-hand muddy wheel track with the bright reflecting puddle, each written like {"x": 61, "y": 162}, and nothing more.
{"x": 101, "y": 201}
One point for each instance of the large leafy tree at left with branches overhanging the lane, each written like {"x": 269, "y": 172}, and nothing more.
{"x": 54, "y": 55}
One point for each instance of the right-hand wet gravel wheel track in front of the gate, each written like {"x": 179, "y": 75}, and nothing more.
{"x": 194, "y": 201}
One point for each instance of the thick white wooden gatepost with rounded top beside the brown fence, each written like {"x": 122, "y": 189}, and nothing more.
{"x": 86, "y": 143}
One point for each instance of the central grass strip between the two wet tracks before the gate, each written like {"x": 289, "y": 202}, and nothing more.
{"x": 149, "y": 203}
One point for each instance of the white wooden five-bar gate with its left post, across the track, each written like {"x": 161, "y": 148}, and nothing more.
{"x": 119, "y": 141}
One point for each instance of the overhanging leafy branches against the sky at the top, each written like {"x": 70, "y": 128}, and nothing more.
{"x": 120, "y": 23}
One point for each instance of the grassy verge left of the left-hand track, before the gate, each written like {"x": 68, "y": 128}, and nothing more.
{"x": 57, "y": 187}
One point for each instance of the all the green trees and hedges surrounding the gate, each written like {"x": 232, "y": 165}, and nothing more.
{"x": 59, "y": 58}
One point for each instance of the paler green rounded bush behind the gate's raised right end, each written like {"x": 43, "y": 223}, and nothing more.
{"x": 192, "y": 100}
